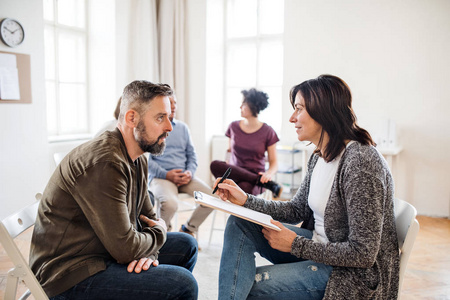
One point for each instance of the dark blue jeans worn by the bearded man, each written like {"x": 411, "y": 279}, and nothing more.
{"x": 172, "y": 279}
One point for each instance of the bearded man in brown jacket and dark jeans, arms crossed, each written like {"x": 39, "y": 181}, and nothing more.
{"x": 96, "y": 234}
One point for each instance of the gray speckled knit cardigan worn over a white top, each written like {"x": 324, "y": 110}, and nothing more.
{"x": 359, "y": 224}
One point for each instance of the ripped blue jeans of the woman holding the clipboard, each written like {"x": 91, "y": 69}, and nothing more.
{"x": 289, "y": 278}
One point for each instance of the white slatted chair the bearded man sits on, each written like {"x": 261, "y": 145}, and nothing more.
{"x": 10, "y": 228}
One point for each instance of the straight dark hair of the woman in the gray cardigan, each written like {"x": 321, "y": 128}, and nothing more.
{"x": 328, "y": 100}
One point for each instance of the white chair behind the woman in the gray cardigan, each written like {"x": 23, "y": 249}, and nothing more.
{"x": 407, "y": 229}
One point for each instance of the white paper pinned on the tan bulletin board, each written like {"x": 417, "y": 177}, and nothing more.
{"x": 9, "y": 77}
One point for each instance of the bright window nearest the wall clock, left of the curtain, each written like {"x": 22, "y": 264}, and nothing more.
{"x": 65, "y": 35}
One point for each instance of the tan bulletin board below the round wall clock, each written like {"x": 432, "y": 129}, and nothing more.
{"x": 24, "y": 78}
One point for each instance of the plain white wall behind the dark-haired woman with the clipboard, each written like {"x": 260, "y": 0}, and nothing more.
{"x": 395, "y": 57}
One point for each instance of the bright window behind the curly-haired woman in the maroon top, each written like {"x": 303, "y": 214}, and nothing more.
{"x": 254, "y": 55}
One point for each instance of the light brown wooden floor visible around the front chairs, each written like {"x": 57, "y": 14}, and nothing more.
{"x": 427, "y": 275}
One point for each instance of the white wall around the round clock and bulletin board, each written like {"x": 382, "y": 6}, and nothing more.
{"x": 23, "y": 128}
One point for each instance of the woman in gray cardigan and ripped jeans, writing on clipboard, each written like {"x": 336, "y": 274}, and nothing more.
{"x": 347, "y": 245}
